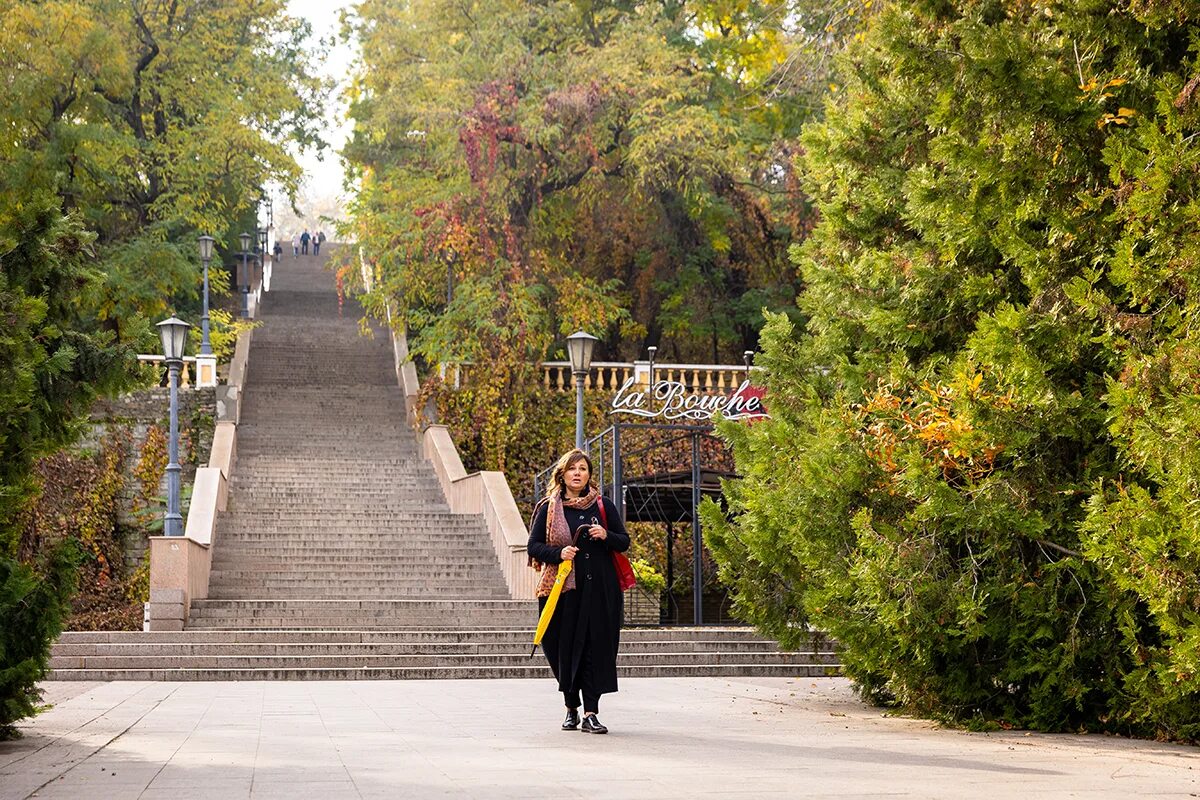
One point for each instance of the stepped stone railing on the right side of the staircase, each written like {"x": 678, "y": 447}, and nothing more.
{"x": 485, "y": 494}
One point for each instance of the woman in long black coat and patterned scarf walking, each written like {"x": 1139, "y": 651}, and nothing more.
{"x": 575, "y": 524}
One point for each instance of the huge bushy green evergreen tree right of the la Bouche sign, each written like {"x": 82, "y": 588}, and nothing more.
{"x": 981, "y": 467}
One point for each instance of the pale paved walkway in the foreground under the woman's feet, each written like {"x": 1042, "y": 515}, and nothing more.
{"x": 671, "y": 738}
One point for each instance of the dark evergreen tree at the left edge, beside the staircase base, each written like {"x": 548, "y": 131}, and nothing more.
{"x": 53, "y": 364}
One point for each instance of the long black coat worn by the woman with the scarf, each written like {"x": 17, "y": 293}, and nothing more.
{"x": 590, "y": 617}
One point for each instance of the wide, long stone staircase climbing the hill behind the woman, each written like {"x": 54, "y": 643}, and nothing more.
{"x": 339, "y": 557}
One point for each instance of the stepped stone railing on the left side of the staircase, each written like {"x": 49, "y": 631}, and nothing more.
{"x": 181, "y": 566}
